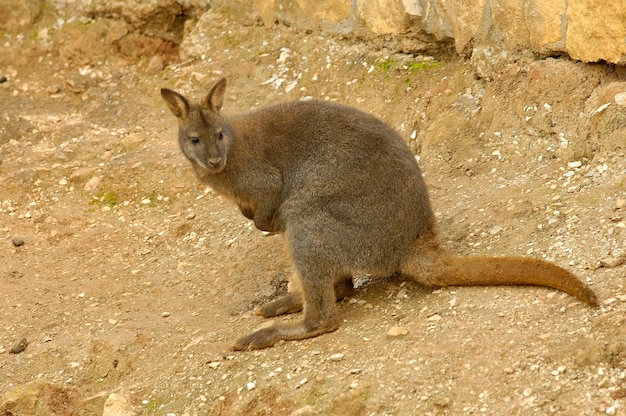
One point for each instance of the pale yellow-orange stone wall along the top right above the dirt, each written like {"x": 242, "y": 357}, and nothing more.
{"x": 586, "y": 30}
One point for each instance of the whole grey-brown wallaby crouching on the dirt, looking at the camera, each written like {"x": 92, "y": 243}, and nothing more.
{"x": 347, "y": 193}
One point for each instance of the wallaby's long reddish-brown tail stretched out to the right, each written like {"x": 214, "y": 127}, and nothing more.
{"x": 492, "y": 271}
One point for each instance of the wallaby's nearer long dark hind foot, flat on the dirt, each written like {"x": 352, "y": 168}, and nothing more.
{"x": 266, "y": 337}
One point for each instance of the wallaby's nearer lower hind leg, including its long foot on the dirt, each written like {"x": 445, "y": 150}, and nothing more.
{"x": 320, "y": 310}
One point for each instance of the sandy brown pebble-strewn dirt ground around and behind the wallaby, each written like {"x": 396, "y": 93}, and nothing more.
{"x": 130, "y": 281}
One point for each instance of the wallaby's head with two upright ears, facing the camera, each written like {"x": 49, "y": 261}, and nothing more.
{"x": 204, "y": 136}
